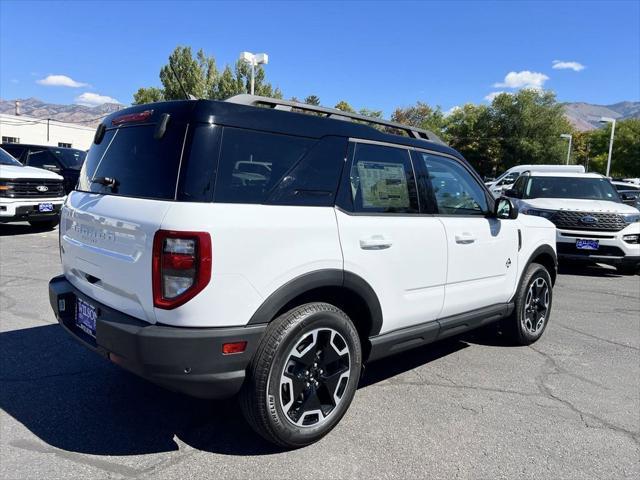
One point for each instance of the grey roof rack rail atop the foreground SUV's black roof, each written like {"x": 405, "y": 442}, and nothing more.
{"x": 287, "y": 105}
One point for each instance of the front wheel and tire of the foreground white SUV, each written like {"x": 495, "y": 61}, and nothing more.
{"x": 533, "y": 303}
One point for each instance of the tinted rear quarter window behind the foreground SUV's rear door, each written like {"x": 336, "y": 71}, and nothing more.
{"x": 252, "y": 163}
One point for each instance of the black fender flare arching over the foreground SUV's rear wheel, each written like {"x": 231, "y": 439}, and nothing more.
{"x": 318, "y": 279}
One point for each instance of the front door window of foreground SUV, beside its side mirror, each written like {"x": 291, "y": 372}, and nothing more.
{"x": 456, "y": 191}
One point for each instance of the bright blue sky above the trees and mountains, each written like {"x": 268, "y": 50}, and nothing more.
{"x": 373, "y": 54}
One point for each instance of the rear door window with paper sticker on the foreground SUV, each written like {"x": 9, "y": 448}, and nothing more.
{"x": 382, "y": 180}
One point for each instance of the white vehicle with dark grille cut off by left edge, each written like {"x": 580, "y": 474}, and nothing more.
{"x": 29, "y": 194}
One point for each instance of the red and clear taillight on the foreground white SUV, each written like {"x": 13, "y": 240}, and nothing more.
{"x": 181, "y": 266}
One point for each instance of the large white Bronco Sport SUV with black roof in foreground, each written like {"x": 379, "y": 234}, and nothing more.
{"x": 187, "y": 266}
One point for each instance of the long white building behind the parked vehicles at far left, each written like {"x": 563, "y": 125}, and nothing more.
{"x": 31, "y": 130}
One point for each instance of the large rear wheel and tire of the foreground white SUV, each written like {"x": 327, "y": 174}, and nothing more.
{"x": 299, "y": 406}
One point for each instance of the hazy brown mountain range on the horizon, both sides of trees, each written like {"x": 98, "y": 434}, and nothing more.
{"x": 583, "y": 116}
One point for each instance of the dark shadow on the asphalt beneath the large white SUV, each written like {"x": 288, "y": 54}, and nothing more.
{"x": 77, "y": 401}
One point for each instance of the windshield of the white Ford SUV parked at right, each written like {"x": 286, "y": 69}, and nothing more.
{"x": 571, "y": 187}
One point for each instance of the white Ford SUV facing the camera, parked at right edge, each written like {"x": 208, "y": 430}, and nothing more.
{"x": 592, "y": 222}
